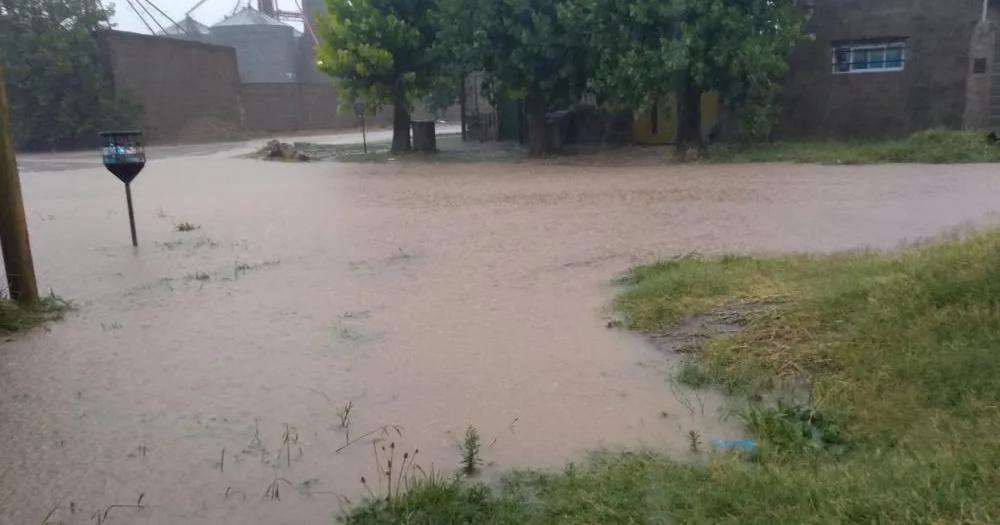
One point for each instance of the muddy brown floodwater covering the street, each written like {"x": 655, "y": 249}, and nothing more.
{"x": 430, "y": 296}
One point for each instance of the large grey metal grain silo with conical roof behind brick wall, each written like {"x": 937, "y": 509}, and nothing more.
{"x": 266, "y": 49}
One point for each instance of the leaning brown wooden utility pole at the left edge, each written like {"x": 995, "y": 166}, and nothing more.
{"x": 13, "y": 230}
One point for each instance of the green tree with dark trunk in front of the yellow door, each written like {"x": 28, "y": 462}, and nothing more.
{"x": 645, "y": 48}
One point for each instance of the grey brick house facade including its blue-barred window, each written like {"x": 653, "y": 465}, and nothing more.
{"x": 892, "y": 67}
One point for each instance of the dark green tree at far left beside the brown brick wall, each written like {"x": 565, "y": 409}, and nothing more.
{"x": 59, "y": 93}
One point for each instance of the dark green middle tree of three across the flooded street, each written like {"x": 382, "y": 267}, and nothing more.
{"x": 529, "y": 49}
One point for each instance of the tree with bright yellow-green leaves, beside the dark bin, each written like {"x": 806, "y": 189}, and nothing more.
{"x": 378, "y": 52}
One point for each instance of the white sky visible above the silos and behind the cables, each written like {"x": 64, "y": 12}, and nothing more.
{"x": 209, "y": 13}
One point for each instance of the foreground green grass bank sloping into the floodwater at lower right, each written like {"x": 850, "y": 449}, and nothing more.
{"x": 899, "y": 353}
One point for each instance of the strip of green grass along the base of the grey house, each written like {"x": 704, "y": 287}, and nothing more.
{"x": 934, "y": 146}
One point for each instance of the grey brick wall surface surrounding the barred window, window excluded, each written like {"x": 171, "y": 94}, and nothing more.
{"x": 931, "y": 90}
